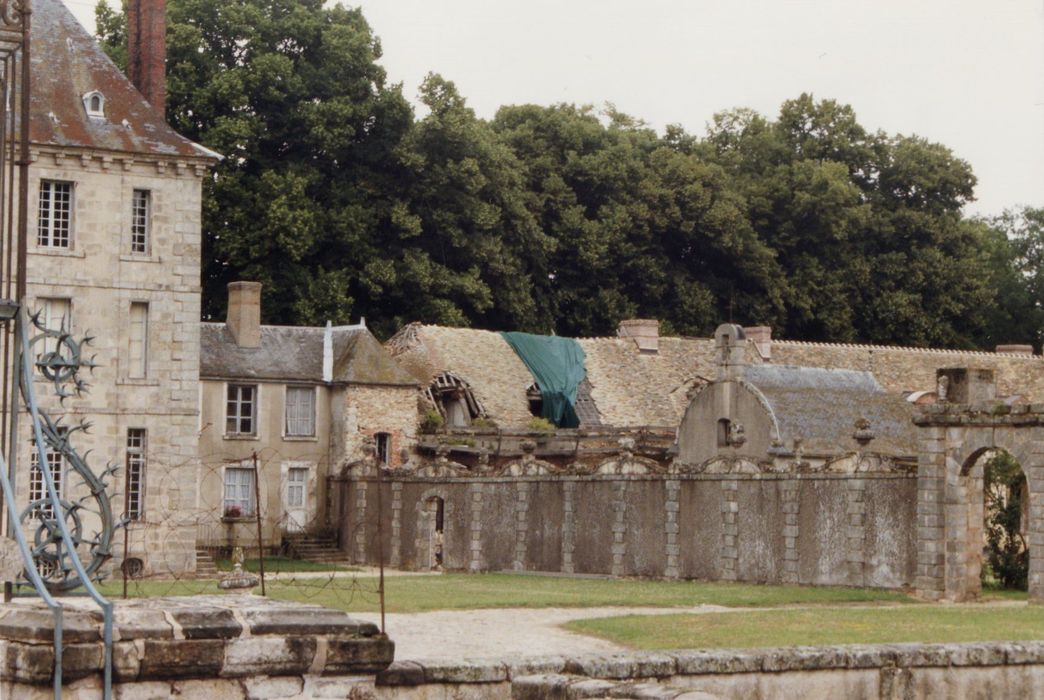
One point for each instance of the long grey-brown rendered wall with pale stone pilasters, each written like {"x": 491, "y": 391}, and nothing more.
{"x": 813, "y": 529}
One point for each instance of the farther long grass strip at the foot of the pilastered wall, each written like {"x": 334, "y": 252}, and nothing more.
{"x": 460, "y": 592}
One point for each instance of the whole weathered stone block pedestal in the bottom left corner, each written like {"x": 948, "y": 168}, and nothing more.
{"x": 213, "y": 646}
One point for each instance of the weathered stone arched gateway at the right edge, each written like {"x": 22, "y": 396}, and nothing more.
{"x": 955, "y": 433}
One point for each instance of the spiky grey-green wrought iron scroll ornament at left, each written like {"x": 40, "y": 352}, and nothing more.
{"x": 60, "y": 359}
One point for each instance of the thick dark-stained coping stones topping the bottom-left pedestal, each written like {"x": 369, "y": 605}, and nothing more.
{"x": 202, "y": 637}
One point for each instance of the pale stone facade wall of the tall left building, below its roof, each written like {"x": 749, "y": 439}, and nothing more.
{"x": 102, "y": 277}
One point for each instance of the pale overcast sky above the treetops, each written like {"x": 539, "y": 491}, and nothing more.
{"x": 965, "y": 74}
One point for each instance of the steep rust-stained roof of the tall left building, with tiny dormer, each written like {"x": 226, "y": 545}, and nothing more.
{"x": 67, "y": 64}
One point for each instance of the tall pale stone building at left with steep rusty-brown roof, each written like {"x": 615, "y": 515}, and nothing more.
{"x": 114, "y": 251}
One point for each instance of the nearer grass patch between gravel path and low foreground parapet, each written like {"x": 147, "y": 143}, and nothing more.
{"x": 820, "y": 626}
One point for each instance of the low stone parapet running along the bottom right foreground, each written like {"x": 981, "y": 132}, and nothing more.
{"x": 879, "y": 671}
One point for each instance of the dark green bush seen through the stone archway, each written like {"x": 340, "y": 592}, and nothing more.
{"x": 1008, "y": 557}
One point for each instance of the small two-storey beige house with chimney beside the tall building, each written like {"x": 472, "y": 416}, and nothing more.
{"x": 303, "y": 402}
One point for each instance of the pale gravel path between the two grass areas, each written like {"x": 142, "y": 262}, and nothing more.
{"x": 509, "y": 633}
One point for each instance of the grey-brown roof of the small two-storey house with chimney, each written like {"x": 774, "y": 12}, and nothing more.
{"x": 295, "y": 354}
